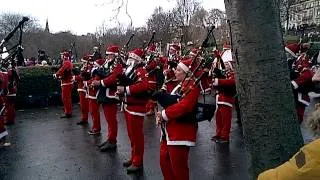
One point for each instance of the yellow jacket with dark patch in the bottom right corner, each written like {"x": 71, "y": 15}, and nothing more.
{"x": 304, "y": 165}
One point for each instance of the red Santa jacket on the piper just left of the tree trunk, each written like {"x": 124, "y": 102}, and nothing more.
{"x": 225, "y": 89}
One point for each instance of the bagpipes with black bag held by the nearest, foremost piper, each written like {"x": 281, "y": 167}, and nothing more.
{"x": 203, "y": 110}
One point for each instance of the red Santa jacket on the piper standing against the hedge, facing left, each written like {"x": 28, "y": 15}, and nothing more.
{"x": 65, "y": 73}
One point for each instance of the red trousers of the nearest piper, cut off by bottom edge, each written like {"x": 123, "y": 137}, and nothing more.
{"x": 174, "y": 161}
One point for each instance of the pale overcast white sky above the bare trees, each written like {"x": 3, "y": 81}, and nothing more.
{"x": 83, "y": 16}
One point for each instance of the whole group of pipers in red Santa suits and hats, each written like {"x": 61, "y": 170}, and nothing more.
{"x": 145, "y": 82}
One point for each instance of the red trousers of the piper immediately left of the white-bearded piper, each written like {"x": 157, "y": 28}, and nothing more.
{"x": 110, "y": 113}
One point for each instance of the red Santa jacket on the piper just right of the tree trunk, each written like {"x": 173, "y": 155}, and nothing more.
{"x": 302, "y": 85}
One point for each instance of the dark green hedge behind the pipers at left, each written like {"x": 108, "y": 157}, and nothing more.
{"x": 37, "y": 87}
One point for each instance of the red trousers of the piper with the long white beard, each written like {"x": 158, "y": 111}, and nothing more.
{"x": 135, "y": 133}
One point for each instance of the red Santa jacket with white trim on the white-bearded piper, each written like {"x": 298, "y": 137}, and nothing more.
{"x": 136, "y": 95}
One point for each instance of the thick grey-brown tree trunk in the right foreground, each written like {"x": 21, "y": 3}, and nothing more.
{"x": 271, "y": 131}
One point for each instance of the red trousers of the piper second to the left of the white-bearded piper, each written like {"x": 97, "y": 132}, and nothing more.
{"x": 95, "y": 114}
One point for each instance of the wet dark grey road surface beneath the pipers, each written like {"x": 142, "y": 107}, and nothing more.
{"x": 47, "y": 147}
